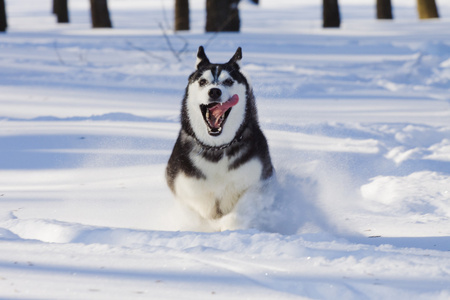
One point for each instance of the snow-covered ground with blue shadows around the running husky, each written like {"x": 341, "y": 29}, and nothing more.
{"x": 358, "y": 124}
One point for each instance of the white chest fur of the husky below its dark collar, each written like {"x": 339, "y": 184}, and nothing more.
{"x": 221, "y": 185}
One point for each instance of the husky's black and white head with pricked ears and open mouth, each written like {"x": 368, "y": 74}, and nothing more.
{"x": 216, "y": 99}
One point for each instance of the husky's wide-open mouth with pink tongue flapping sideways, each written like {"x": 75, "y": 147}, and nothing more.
{"x": 215, "y": 114}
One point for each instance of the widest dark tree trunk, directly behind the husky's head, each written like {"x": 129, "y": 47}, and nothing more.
{"x": 222, "y": 15}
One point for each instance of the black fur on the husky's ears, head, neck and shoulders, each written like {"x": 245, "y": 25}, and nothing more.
{"x": 249, "y": 141}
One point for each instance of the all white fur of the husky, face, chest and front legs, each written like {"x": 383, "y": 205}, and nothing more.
{"x": 226, "y": 199}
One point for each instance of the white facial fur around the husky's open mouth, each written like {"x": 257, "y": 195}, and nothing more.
{"x": 199, "y": 95}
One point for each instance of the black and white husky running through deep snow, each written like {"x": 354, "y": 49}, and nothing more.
{"x": 221, "y": 152}
